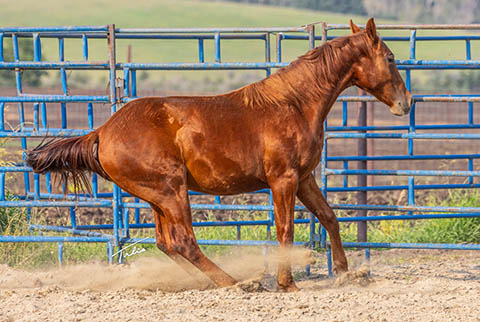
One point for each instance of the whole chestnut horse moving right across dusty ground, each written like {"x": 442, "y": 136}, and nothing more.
{"x": 268, "y": 134}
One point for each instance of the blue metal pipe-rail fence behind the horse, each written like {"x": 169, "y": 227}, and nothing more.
{"x": 122, "y": 90}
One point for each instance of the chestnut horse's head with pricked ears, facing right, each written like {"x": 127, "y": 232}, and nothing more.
{"x": 377, "y": 73}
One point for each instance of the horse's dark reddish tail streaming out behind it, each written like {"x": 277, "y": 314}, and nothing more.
{"x": 71, "y": 159}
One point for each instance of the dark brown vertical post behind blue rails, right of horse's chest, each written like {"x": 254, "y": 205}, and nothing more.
{"x": 362, "y": 165}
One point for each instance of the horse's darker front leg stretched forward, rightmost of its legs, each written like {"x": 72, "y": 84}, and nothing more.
{"x": 310, "y": 195}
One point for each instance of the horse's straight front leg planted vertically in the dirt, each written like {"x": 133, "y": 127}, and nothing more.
{"x": 284, "y": 190}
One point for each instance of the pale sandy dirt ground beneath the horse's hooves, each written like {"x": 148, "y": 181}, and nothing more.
{"x": 403, "y": 286}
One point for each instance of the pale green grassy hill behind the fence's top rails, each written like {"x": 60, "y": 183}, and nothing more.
{"x": 182, "y": 13}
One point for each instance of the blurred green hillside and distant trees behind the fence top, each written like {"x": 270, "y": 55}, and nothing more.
{"x": 185, "y": 13}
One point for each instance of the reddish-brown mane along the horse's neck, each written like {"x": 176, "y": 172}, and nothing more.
{"x": 311, "y": 75}
